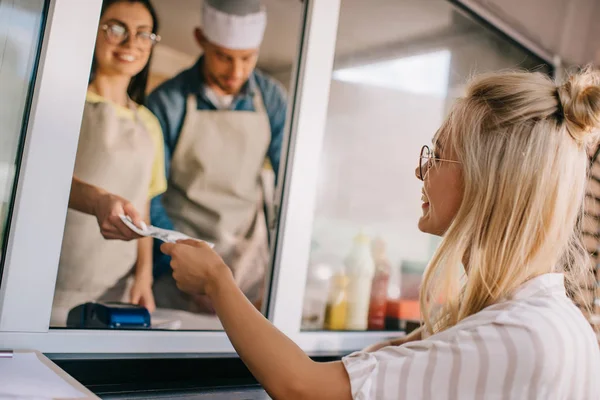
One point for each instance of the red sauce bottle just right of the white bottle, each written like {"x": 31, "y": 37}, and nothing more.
{"x": 379, "y": 287}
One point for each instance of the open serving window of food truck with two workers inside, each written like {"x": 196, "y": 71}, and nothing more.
{"x": 195, "y": 145}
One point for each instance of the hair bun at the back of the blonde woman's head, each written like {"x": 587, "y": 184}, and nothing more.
{"x": 580, "y": 101}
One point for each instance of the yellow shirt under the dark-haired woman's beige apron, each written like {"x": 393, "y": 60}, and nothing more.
{"x": 158, "y": 182}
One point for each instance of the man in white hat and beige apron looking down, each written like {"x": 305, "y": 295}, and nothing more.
{"x": 221, "y": 119}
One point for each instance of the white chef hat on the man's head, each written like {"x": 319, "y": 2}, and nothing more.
{"x": 234, "y": 24}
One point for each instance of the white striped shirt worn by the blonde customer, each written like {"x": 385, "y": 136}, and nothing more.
{"x": 537, "y": 345}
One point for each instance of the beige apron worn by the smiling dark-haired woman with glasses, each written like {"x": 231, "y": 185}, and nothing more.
{"x": 116, "y": 154}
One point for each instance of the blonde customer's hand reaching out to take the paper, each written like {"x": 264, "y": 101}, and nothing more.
{"x": 197, "y": 269}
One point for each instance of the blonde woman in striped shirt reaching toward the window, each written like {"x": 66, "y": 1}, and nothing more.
{"x": 504, "y": 184}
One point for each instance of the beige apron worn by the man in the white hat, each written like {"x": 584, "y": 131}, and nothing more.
{"x": 215, "y": 192}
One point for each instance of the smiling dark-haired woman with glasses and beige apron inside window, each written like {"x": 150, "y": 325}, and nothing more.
{"x": 118, "y": 169}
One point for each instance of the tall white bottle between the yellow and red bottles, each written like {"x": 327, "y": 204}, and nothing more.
{"x": 360, "y": 269}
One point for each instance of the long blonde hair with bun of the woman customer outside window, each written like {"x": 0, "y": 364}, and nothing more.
{"x": 522, "y": 141}
